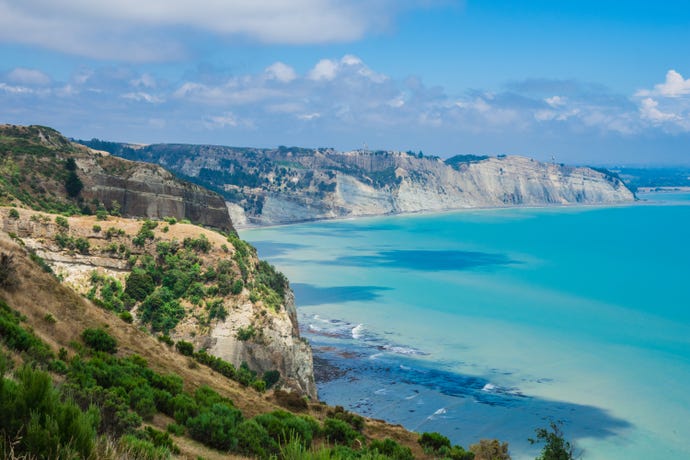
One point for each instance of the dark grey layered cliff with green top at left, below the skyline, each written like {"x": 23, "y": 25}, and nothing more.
{"x": 38, "y": 163}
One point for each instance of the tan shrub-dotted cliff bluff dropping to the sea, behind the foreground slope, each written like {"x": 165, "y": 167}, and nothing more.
{"x": 193, "y": 299}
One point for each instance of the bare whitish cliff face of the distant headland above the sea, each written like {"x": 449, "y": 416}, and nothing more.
{"x": 431, "y": 185}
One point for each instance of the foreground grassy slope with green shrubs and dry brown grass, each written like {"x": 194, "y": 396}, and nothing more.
{"x": 132, "y": 393}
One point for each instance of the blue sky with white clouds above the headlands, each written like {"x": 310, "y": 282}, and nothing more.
{"x": 585, "y": 82}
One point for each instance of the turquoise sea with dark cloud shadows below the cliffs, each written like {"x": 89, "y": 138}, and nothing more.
{"x": 493, "y": 323}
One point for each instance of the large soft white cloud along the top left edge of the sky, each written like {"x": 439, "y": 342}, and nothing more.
{"x": 133, "y": 30}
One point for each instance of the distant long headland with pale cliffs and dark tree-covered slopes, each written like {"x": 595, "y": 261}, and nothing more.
{"x": 283, "y": 185}
